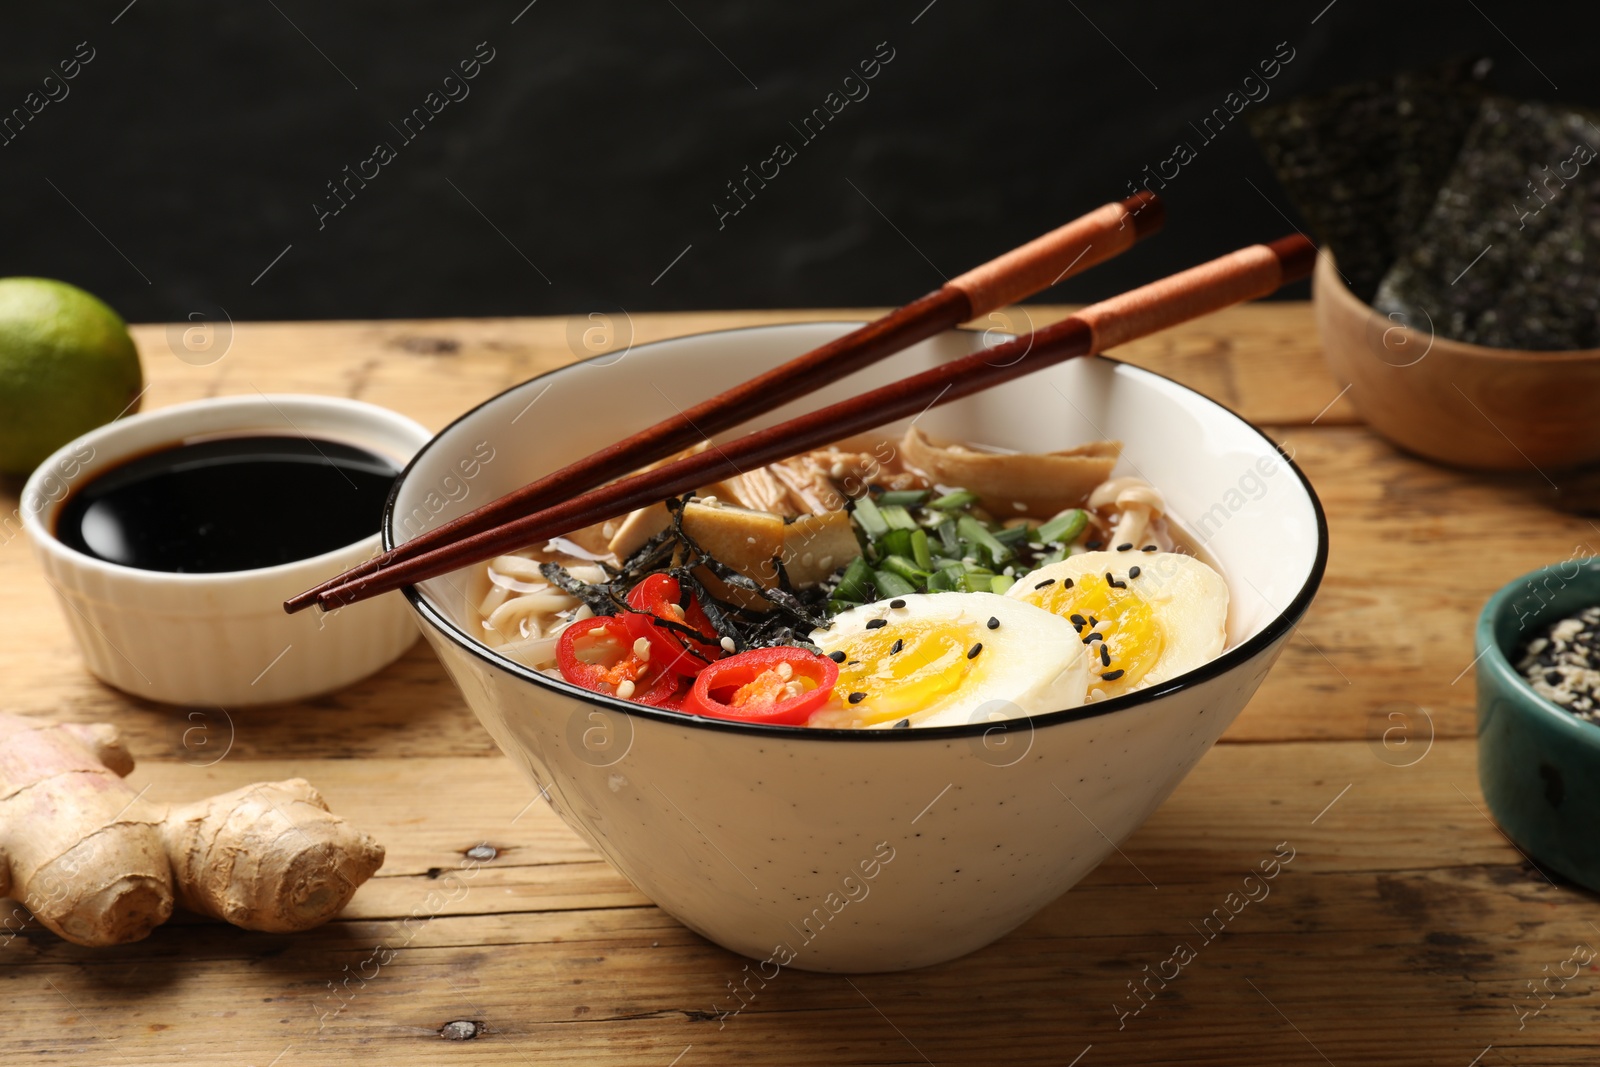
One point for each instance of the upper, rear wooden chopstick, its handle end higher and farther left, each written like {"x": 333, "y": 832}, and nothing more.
{"x": 1068, "y": 250}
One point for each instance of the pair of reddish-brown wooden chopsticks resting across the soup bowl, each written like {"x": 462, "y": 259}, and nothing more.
{"x": 537, "y": 511}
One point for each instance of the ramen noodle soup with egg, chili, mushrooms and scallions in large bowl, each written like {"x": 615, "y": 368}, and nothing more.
{"x": 874, "y": 585}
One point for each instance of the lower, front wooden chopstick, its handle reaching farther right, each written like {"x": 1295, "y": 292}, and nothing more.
{"x": 1233, "y": 279}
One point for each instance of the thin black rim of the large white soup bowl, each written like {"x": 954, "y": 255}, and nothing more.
{"x": 1231, "y": 658}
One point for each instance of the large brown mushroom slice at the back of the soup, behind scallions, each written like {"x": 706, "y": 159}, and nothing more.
{"x": 1015, "y": 484}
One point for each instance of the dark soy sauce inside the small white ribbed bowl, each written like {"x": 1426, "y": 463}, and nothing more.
{"x": 230, "y": 505}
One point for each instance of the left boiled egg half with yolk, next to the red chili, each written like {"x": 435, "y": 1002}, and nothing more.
{"x": 951, "y": 658}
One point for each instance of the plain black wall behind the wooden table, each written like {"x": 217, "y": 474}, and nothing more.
{"x": 591, "y": 151}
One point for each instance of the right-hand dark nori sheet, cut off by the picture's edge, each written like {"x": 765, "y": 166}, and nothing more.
{"x": 1510, "y": 252}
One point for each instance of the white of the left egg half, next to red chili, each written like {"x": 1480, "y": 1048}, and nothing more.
{"x": 1031, "y": 663}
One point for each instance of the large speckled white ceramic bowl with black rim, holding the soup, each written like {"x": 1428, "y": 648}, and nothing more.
{"x": 874, "y": 850}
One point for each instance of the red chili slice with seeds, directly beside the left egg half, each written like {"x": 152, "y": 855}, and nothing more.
{"x": 764, "y": 685}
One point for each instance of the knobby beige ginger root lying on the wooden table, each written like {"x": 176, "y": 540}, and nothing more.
{"x": 102, "y": 866}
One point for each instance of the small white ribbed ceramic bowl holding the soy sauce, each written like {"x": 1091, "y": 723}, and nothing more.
{"x": 220, "y": 639}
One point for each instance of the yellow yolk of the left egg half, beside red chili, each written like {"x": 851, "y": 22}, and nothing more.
{"x": 905, "y": 668}
